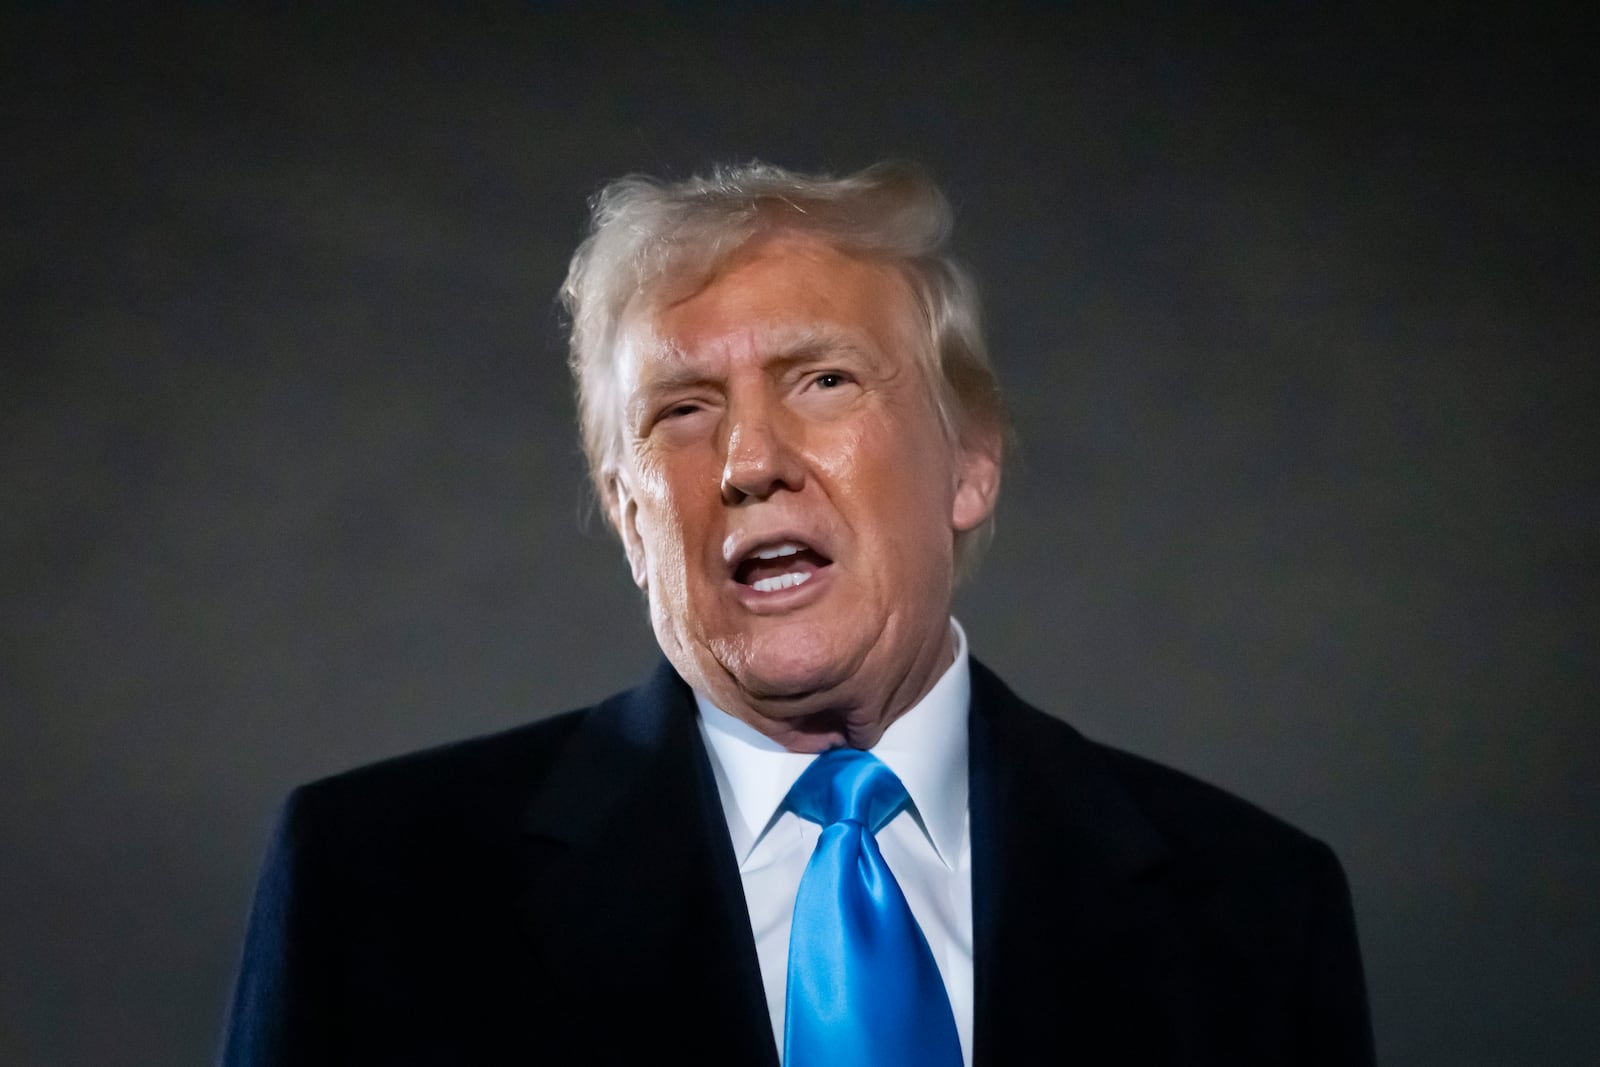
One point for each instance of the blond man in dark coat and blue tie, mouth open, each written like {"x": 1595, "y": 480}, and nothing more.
{"x": 794, "y": 430}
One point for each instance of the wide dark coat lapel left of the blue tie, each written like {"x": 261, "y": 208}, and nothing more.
{"x": 633, "y": 892}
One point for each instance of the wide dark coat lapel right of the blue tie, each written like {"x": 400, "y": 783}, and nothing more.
{"x": 1076, "y": 924}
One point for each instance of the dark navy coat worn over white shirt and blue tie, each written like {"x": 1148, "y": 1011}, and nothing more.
{"x": 566, "y": 893}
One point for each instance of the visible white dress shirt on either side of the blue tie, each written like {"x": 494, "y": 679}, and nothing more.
{"x": 929, "y": 845}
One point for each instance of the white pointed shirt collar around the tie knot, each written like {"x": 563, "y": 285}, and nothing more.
{"x": 926, "y": 748}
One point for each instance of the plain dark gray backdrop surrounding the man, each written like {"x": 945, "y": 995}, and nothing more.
{"x": 1297, "y": 313}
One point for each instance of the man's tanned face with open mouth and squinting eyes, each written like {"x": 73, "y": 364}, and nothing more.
{"x": 788, "y": 495}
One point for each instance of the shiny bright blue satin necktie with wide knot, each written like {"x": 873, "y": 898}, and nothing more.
{"x": 863, "y": 986}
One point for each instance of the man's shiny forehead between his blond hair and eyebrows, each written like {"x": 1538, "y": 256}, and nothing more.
{"x": 777, "y": 295}
